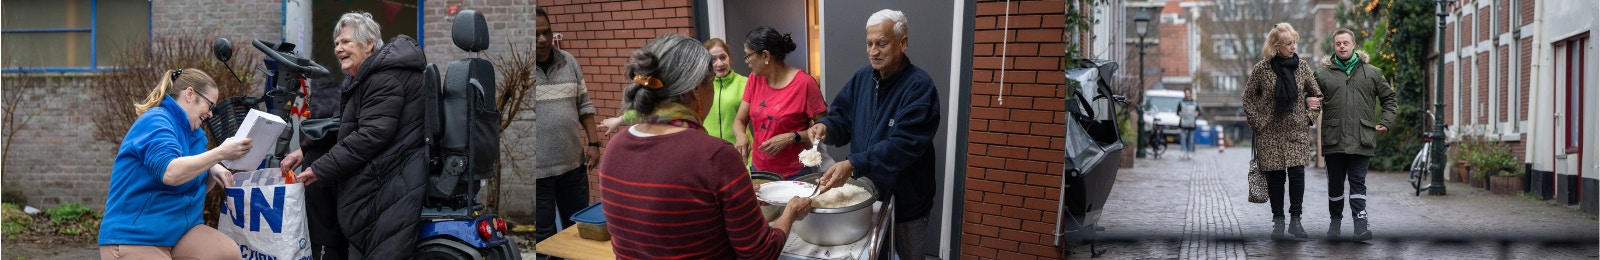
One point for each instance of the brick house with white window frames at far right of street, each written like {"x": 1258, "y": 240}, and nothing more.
{"x": 1522, "y": 75}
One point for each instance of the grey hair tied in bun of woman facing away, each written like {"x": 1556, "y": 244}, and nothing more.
{"x": 679, "y": 62}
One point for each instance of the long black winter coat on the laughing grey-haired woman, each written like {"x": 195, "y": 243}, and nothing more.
{"x": 382, "y": 161}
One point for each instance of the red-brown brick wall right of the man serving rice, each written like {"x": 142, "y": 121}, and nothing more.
{"x": 1015, "y": 148}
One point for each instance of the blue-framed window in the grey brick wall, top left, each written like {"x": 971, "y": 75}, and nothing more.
{"x": 71, "y": 36}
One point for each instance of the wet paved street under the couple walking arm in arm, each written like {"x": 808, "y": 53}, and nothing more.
{"x": 1198, "y": 209}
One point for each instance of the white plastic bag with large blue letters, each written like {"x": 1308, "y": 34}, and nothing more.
{"x": 266, "y": 217}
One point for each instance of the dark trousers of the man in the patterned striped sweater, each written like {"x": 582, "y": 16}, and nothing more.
{"x": 559, "y": 197}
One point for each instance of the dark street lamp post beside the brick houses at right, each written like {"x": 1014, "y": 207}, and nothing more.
{"x": 1439, "y": 105}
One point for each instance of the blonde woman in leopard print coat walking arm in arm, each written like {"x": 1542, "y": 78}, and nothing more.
{"x": 1279, "y": 105}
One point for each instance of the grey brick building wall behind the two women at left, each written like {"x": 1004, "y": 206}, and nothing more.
{"x": 54, "y": 158}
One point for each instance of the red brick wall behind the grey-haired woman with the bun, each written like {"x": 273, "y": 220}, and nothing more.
{"x": 602, "y": 35}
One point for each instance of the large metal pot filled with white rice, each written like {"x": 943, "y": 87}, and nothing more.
{"x": 841, "y": 225}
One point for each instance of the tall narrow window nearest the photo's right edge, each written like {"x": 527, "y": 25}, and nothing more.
{"x": 1575, "y": 54}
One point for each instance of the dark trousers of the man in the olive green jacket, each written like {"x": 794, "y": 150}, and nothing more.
{"x": 1350, "y": 168}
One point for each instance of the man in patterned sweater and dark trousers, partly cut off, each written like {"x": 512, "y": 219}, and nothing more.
{"x": 561, "y": 155}
